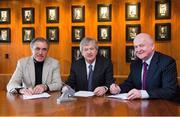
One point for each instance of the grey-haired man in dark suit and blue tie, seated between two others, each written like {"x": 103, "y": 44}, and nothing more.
{"x": 98, "y": 77}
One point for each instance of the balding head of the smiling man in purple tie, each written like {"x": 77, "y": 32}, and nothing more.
{"x": 144, "y": 46}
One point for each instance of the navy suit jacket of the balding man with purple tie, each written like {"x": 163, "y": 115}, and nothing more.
{"x": 161, "y": 77}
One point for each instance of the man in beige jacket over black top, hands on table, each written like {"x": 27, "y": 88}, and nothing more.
{"x": 37, "y": 73}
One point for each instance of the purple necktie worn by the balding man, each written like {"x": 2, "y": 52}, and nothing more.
{"x": 144, "y": 75}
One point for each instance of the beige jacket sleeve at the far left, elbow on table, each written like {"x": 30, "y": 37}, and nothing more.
{"x": 16, "y": 79}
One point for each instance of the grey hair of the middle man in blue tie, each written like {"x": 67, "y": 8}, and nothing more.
{"x": 88, "y": 41}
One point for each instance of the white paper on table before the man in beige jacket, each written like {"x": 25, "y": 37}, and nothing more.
{"x": 42, "y": 95}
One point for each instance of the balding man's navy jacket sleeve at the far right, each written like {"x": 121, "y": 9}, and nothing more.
{"x": 169, "y": 82}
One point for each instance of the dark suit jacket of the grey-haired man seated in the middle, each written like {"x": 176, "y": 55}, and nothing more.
{"x": 102, "y": 75}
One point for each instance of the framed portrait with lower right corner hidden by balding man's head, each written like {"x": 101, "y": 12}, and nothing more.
{"x": 131, "y": 31}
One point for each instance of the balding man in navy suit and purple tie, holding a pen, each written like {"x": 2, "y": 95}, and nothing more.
{"x": 152, "y": 75}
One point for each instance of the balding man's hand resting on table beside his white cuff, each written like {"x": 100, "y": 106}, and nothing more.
{"x": 134, "y": 94}
